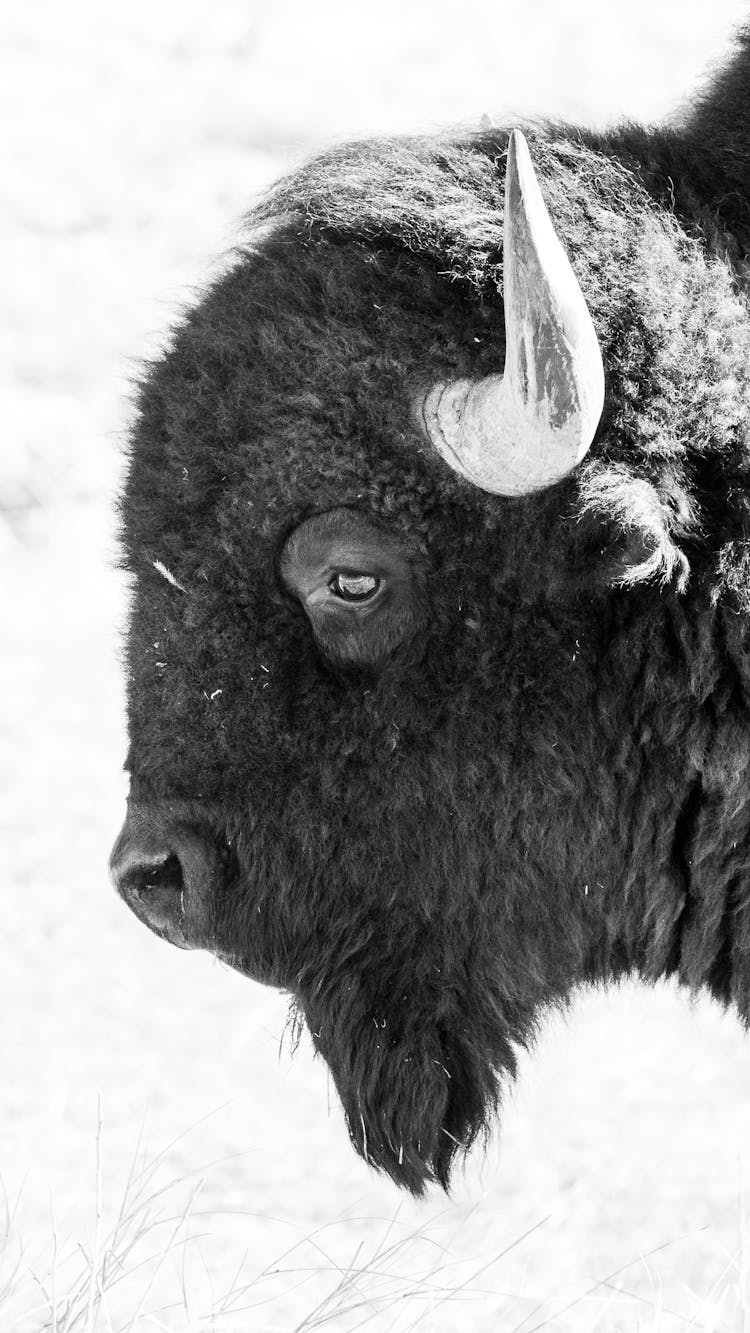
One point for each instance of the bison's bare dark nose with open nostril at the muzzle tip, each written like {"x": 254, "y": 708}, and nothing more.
{"x": 167, "y": 879}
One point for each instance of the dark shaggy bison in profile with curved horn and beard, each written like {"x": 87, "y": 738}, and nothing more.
{"x": 438, "y": 518}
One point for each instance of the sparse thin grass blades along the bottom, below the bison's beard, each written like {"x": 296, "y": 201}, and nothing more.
{"x": 143, "y": 1270}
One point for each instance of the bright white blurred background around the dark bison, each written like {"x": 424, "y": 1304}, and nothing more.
{"x": 133, "y": 141}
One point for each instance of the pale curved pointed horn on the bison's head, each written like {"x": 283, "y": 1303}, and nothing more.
{"x": 526, "y": 430}
